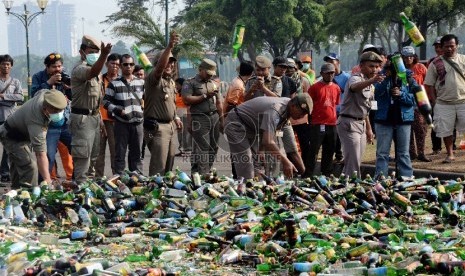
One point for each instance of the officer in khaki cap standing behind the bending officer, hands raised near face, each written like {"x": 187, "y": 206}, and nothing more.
{"x": 263, "y": 83}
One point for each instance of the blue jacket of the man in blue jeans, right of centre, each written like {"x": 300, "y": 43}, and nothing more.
{"x": 406, "y": 101}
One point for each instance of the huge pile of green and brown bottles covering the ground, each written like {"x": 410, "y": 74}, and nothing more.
{"x": 180, "y": 225}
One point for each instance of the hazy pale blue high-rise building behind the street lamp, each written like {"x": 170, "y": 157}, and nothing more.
{"x": 55, "y": 30}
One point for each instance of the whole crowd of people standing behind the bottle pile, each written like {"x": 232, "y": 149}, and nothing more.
{"x": 276, "y": 115}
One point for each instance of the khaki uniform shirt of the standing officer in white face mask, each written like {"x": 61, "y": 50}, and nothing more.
{"x": 86, "y": 93}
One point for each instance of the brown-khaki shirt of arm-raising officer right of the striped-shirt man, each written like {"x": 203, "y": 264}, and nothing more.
{"x": 160, "y": 98}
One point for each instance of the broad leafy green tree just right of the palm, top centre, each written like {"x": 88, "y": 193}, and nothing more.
{"x": 281, "y": 28}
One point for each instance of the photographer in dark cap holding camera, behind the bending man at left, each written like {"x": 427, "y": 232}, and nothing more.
{"x": 58, "y": 134}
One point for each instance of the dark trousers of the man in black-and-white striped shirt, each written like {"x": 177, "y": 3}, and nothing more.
{"x": 128, "y": 136}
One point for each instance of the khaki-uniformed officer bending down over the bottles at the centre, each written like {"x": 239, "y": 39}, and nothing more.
{"x": 266, "y": 116}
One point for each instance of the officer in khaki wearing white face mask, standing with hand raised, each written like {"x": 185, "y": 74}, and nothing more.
{"x": 85, "y": 120}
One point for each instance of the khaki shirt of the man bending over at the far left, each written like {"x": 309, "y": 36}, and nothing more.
{"x": 30, "y": 121}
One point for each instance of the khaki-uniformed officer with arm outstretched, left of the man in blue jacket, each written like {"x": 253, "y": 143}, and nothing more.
{"x": 353, "y": 125}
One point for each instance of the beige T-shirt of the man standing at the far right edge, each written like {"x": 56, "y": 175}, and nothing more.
{"x": 453, "y": 89}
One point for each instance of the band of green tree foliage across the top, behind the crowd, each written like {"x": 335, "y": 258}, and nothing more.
{"x": 283, "y": 28}
